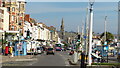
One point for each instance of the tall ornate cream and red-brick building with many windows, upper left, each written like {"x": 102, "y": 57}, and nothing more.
{"x": 16, "y": 11}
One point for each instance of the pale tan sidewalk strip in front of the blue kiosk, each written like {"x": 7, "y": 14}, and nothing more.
{"x": 16, "y": 58}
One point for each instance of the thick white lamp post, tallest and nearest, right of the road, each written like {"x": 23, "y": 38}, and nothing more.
{"x": 91, "y": 2}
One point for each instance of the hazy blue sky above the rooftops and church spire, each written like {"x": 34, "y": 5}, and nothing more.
{"x": 74, "y": 13}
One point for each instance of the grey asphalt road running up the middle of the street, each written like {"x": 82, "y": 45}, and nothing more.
{"x": 59, "y": 59}
